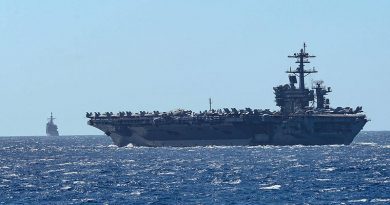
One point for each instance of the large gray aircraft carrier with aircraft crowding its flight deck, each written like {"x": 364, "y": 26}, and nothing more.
{"x": 305, "y": 118}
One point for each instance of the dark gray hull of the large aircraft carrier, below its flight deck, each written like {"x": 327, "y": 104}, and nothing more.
{"x": 297, "y": 130}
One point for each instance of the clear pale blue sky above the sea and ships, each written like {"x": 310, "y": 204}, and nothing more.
{"x": 70, "y": 57}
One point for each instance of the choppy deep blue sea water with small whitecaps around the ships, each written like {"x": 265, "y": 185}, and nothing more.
{"x": 90, "y": 170}
